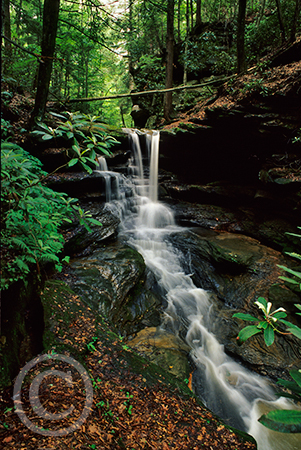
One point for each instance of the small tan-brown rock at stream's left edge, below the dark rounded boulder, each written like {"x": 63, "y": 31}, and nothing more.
{"x": 164, "y": 349}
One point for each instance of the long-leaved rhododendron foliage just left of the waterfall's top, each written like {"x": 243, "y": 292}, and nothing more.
{"x": 85, "y": 135}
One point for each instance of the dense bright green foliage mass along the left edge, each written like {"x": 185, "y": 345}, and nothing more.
{"x": 31, "y": 216}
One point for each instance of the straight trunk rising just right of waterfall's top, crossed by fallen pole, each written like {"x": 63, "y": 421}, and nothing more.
{"x": 169, "y": 59}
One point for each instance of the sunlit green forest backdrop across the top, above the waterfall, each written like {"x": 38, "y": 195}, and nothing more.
{"x": 106, "y": 47}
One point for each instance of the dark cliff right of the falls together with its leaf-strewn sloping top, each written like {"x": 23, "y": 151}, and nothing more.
{"x": 252, "y": 124}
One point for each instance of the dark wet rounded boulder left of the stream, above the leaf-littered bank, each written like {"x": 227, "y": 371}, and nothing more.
{"x": 113, "y": 280}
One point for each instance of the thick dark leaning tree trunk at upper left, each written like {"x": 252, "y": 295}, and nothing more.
{"x": 50, "y": 21}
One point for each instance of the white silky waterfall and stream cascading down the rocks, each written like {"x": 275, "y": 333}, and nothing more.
{"x": 232, "y": 392}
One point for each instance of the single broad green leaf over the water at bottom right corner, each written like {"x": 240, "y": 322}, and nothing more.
{"x": 283, "y": 421}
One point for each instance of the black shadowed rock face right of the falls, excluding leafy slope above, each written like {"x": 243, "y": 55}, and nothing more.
{"x": 235, "y": 144}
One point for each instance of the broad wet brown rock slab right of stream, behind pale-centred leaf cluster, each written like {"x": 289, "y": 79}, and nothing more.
{"x": 237, "y": 270}
